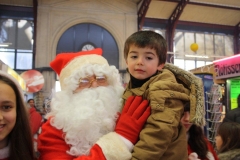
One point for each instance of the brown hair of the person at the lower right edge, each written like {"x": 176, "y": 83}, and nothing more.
{"x": 230, "y": 134}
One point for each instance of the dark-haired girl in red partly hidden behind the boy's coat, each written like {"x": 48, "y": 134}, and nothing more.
{"x": 199, "y": 148}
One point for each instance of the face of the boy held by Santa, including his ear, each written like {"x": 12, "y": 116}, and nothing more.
{"x": 142, "y": 62}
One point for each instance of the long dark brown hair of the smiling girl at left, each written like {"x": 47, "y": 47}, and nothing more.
{"x": 20, "y": 138}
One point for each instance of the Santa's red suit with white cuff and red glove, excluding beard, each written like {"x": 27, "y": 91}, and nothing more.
{"x": 112, "y": 146}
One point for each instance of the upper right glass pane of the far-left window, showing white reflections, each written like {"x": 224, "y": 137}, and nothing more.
{"x": 25, "y": 34}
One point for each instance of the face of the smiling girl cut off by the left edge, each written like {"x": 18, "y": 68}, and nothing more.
{"x": 7, "y": 112}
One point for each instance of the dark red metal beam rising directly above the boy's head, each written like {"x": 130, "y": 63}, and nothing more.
{"x": 142, "y": 13}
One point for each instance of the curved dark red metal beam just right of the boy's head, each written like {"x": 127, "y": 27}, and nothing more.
{"x": 172, "y": 22}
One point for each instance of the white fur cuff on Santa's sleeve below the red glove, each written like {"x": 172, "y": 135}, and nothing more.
{"x": 113, "y": 147}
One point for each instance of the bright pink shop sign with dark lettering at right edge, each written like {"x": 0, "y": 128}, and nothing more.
{"x": 227, "y": 67}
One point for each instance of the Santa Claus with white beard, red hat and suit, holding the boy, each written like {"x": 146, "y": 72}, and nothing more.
{"x": 84, "y": 113}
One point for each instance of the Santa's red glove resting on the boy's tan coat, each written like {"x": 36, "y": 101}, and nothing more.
{"x": 135, "y": 113}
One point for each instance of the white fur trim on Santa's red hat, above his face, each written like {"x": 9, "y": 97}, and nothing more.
{"x": 77, "y": 63}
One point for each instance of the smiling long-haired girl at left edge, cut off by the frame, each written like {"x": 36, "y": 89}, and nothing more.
{"x": 16, "y": 141}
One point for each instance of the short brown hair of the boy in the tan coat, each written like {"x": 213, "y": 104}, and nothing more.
{"x": 149, "y": 39}
